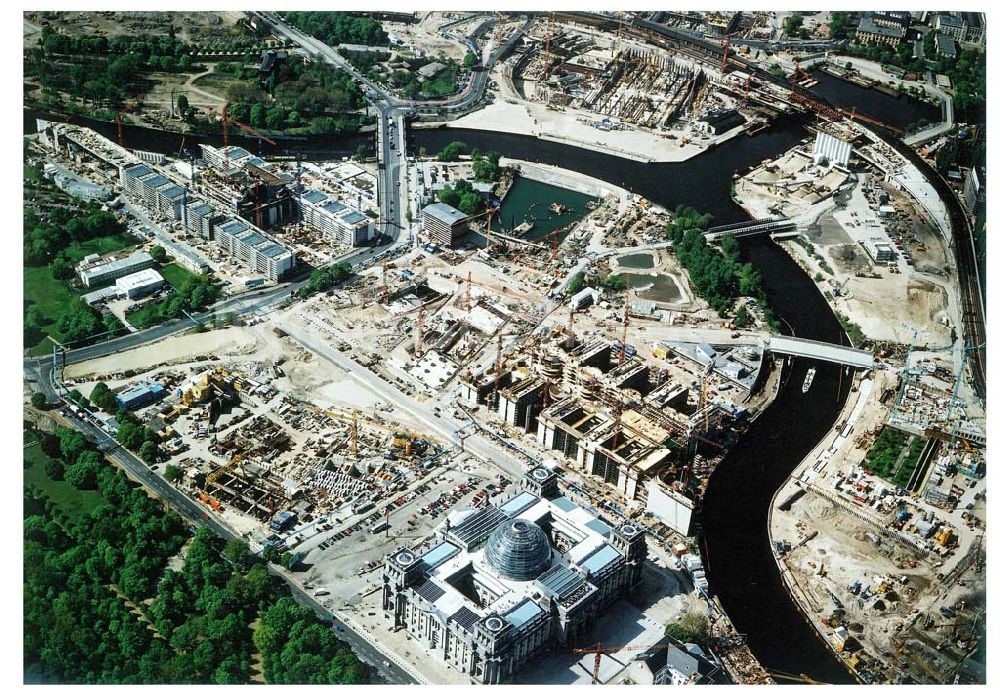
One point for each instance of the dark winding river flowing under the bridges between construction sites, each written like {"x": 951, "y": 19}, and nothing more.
{"x": 738, "y": 558}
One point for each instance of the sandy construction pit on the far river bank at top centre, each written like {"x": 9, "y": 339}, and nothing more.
{"x": 602, "y": 91}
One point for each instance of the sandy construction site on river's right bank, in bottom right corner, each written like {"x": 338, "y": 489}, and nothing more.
{"x": 879, "y": 536}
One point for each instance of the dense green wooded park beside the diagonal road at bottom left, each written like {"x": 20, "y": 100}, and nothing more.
{"x": 102, "y": 607}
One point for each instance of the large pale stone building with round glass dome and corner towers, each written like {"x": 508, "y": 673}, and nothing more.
{"x": 506, "y": 583}
